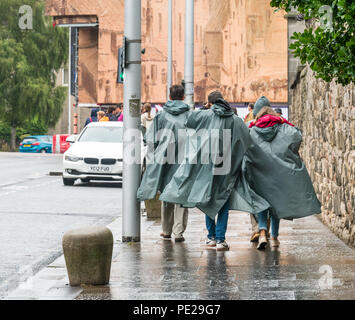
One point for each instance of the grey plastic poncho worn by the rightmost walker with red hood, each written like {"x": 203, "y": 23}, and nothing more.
{"x": 274, "y": 170}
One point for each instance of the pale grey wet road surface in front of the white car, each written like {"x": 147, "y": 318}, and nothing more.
{"x": 37, "y": 209}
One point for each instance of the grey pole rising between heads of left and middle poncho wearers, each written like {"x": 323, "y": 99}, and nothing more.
{"x": 189, "y": 53}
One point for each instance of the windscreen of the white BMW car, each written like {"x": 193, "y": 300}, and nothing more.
{"x": 102, "y": 134}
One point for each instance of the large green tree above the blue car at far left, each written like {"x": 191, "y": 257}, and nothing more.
{"x": 29, "y": 60}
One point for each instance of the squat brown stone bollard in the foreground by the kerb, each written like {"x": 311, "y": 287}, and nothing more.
{"x": 88, "y": 255}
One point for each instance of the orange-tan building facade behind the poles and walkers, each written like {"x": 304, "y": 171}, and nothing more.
{"x": 240, "y": 48}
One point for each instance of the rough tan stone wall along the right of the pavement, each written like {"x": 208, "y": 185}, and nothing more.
{"x": 325, "y": 112}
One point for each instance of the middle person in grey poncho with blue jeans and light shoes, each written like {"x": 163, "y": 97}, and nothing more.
{"x": 217, "y": 141}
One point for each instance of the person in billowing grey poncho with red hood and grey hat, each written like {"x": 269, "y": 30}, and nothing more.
{"x": 274, "y": 170}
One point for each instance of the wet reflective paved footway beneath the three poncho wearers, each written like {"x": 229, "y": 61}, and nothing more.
{"x": 311, "y": 263}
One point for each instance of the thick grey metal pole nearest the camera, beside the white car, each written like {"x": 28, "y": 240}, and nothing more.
{"x": 131, "y": 122}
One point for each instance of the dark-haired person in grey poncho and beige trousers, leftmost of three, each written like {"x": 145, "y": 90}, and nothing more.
{"x": 165, "y": 151}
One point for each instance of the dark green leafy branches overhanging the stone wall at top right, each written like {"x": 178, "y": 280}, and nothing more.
{"x": 329, "y": 48}
